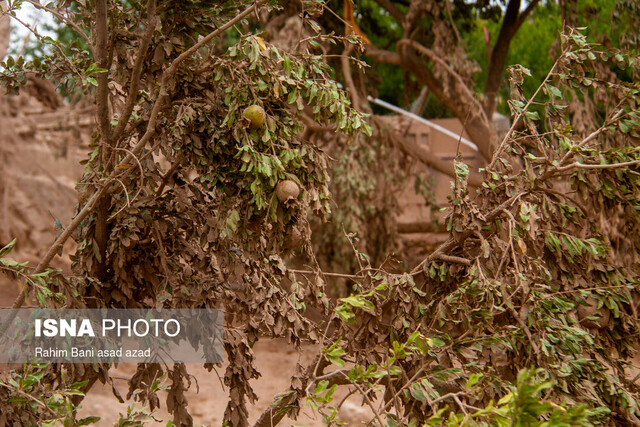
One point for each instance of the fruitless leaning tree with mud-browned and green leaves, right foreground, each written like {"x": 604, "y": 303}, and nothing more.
{"x": 536, "y": 272}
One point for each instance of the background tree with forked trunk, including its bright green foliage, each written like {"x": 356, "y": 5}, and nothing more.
{"x": 441, "y": 44}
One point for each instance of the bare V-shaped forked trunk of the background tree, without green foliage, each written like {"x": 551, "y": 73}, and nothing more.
{"x": 431, "y": 49}
